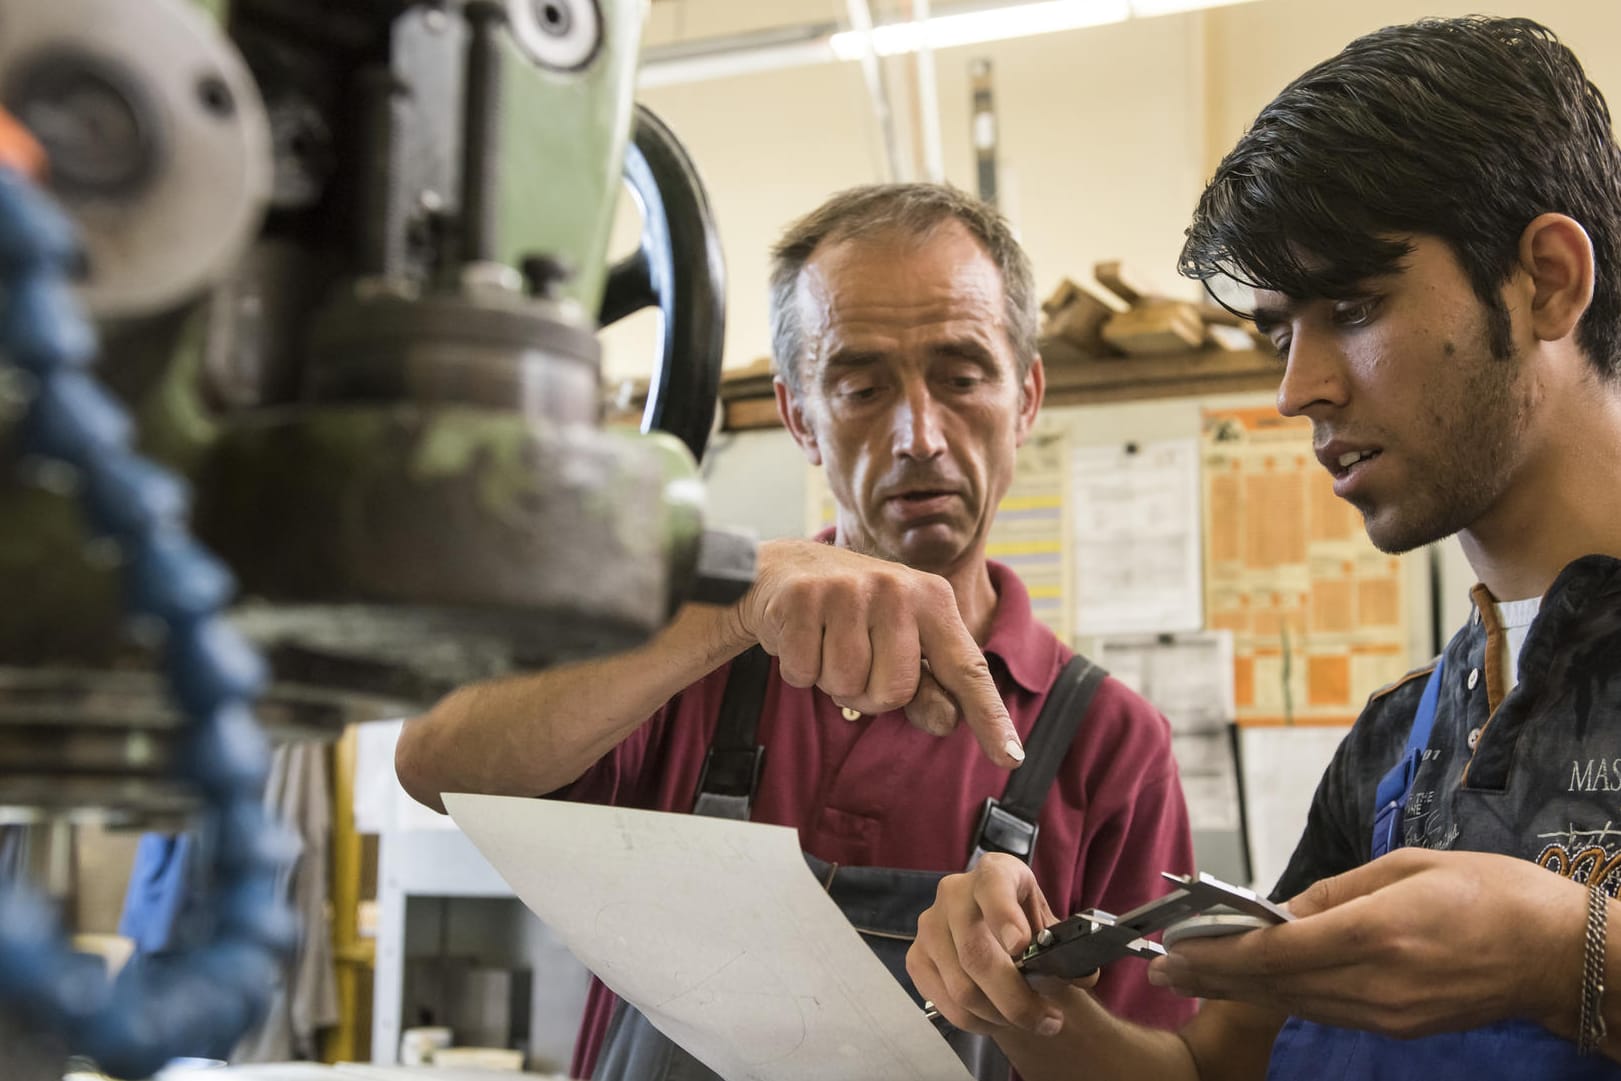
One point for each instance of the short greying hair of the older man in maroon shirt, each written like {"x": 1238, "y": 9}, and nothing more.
{"x": 909, "y": 211}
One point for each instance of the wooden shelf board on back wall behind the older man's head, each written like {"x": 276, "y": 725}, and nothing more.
{"x": 1074, "y": 378}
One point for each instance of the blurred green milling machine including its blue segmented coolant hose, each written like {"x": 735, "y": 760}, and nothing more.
{"x": 348, "y": 263}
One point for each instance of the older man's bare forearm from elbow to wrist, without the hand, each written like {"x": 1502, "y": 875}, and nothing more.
{"x": 531, "y": 735}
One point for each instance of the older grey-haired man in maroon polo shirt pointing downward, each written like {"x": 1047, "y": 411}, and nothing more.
{"x": 905, "y": 343}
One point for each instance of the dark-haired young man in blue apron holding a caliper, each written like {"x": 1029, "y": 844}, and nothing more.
{"x": 1432, "y": 224}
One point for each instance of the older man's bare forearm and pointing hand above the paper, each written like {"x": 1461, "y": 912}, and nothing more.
{"x": 534, "y": 735}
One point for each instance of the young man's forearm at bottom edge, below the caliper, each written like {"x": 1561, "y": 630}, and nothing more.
{"x": 1223, "y": 1043}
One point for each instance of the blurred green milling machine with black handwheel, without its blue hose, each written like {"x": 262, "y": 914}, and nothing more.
{"x": 349, "y": 262}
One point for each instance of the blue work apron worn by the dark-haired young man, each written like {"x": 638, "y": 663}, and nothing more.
{"x": 1518, "y": 1051}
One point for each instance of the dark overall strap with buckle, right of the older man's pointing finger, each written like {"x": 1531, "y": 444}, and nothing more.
{"x": 1011, "y": 824}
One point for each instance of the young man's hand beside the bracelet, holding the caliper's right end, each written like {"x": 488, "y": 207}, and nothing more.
{"x": 1411, "y": 944}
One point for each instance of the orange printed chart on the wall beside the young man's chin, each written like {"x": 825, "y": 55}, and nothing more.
{"x": 1319, "y": 615}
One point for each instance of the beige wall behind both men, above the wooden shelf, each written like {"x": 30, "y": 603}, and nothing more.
{"x": 1106, "y": 134}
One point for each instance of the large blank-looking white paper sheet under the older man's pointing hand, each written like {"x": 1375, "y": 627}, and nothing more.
{"x": 717, "y": 931}
